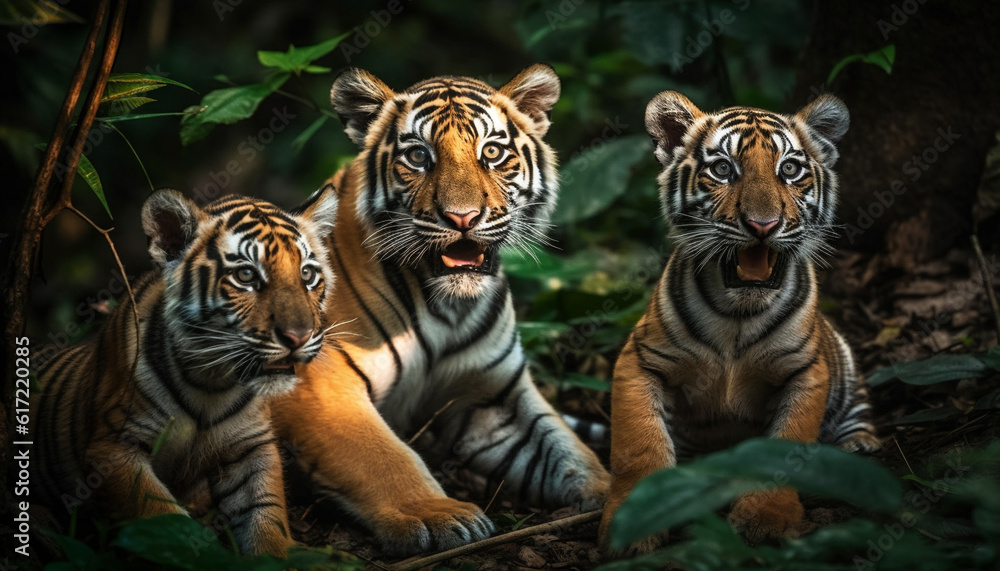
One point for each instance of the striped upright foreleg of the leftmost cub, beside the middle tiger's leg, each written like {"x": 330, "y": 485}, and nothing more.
{"x": 249, "y": 491}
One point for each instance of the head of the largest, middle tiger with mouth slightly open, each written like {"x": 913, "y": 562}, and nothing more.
{"x": 453, "y": 170}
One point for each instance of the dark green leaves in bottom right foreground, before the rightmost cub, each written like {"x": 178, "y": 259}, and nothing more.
{"x": 927, "y": 527}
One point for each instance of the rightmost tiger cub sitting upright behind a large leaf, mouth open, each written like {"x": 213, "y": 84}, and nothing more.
{"x": 733, "y": 344}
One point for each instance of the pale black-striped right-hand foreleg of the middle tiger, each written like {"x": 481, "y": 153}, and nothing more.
{"x": 519, "y": 439}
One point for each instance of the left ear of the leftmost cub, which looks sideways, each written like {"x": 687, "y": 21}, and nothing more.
{"x": 171, "y": 220}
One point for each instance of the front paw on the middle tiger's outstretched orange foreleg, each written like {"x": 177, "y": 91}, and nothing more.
{"x": 431, "y": 524}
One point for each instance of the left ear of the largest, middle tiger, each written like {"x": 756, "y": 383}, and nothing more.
{"x": 357, "y": 96}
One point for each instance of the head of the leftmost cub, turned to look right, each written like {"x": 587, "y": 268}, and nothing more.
{"x": 245, "y": 284}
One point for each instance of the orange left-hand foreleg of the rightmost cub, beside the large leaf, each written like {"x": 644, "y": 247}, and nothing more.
{"x": 640, "y": 441}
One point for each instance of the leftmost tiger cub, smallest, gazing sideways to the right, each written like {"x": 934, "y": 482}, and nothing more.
{"x": 236, "y": 301}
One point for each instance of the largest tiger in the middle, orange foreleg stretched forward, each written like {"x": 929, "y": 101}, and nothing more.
{"x": 449, "y": 171}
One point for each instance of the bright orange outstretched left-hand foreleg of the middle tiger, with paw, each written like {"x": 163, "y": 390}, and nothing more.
{"x": 338, "y": 436}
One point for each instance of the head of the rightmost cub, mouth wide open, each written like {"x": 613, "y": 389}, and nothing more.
{"x": 748, "y": 189}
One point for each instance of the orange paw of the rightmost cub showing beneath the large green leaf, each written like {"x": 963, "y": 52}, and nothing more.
{"x": 769, "y": 514}
